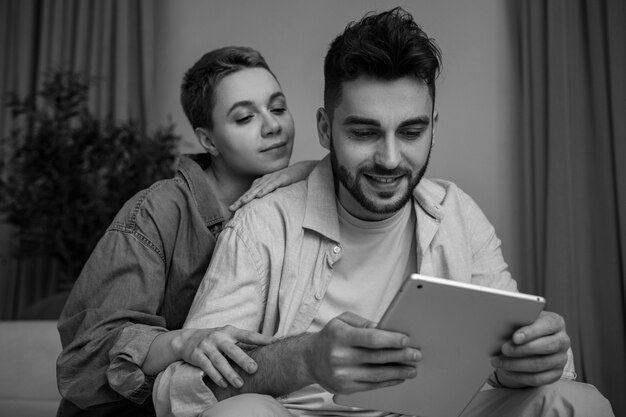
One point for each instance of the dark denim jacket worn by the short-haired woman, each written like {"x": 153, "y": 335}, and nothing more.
{"x": 139, "y": 282}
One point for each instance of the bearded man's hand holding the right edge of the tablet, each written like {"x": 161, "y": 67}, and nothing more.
{"x": 536, "y": 355}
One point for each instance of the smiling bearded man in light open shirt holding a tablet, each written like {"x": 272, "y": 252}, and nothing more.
{"x": 317, "y": 263}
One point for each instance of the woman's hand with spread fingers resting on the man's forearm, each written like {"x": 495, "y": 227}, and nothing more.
{"x": 210, "y": 349}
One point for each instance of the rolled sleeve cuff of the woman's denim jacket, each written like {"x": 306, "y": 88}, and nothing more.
{"x": 124, "y": 373}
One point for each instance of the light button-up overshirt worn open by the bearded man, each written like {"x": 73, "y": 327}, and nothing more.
{"x": 275, "y": 258}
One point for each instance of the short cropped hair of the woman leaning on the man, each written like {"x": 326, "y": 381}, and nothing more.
{"x": 197, "y": 94}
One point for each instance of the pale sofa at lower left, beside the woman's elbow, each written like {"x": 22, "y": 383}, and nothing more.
{"x": 28, "y": 353}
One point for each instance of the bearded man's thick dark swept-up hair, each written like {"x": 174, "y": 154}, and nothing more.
{"x": 388, "y": 46}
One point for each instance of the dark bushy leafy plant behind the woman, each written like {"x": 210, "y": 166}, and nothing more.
{"x": 65, "y": 172}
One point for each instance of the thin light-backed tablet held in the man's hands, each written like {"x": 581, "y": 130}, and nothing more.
{"x": 458, "y": 327}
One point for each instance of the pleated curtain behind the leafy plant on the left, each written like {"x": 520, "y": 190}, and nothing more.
{"x": 110, "y": 42}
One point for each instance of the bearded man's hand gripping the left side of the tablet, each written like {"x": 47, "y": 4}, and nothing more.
{"x": 349, "y": 354}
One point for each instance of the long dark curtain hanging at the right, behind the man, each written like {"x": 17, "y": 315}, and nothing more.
{"x": 573, "y": 56}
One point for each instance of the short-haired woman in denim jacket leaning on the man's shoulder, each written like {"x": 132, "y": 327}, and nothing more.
{"x": 122, "y": 322}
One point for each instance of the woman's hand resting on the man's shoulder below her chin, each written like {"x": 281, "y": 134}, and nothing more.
{"x": 269, "y": 182}
